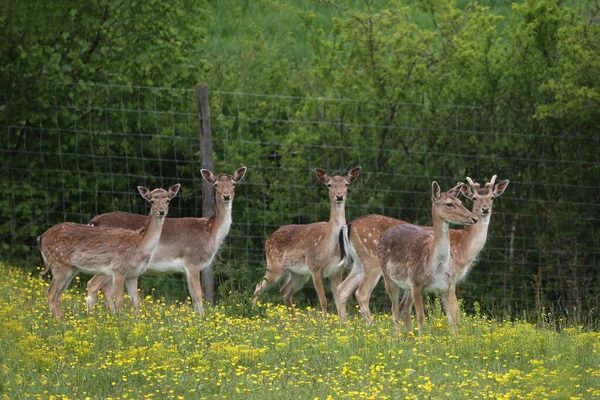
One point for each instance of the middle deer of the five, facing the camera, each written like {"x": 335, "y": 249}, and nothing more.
{"x": 309, "y": 250}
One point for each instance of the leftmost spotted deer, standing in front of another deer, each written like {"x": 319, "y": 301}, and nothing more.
{"x": 119, "y": 255}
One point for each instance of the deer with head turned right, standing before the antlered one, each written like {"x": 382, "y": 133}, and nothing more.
{"x": 420, "y": 260}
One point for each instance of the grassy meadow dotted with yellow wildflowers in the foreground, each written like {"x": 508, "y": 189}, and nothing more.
{"x": 170, "y": 352}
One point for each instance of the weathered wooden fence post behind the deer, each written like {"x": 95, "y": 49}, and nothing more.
{"x": 208, "y": 194}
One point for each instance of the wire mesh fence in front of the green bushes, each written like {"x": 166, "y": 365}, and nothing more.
{"x": 82, "y": 150}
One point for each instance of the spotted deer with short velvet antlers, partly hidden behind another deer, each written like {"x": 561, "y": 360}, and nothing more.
{"x": 361, "y": 238}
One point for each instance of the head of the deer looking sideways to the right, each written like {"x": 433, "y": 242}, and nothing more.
{"x": 448, "y": 207}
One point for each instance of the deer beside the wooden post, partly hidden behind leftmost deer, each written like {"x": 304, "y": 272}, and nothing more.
{"x": 187, "y": 245}
